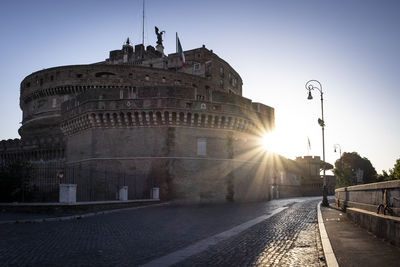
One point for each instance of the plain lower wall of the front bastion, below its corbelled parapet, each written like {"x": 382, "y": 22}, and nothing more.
{"x": 170, "y": 157}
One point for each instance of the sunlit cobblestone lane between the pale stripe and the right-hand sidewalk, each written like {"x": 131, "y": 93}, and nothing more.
{"x": 290, "y": 238}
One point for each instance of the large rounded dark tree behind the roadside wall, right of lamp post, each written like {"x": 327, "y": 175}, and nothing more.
{"x": 348, "y": 165}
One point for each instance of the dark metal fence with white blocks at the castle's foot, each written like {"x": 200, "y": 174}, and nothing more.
{"x": 41, "y": 184}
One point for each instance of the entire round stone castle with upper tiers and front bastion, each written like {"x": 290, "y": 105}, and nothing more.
{"x": 183, "y": 125}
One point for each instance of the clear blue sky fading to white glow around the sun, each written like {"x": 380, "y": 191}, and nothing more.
{"x": 350, "y": 46}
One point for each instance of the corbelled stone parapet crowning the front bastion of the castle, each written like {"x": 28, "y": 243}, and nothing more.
{"x": 144, "y": 107}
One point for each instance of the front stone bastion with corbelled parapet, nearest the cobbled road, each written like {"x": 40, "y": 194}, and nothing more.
{"x": 157, "y": 131}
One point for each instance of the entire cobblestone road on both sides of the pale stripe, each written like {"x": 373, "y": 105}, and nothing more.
{"x": 131, "y": 238}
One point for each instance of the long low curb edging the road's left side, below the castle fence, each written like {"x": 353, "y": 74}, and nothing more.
{"x": 80, "y": 216}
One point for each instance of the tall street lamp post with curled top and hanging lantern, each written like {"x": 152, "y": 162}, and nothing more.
{"x": 311, "y": 85}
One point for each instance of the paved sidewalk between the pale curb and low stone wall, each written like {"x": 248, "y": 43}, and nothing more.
{"x": 353, "y": 245}
